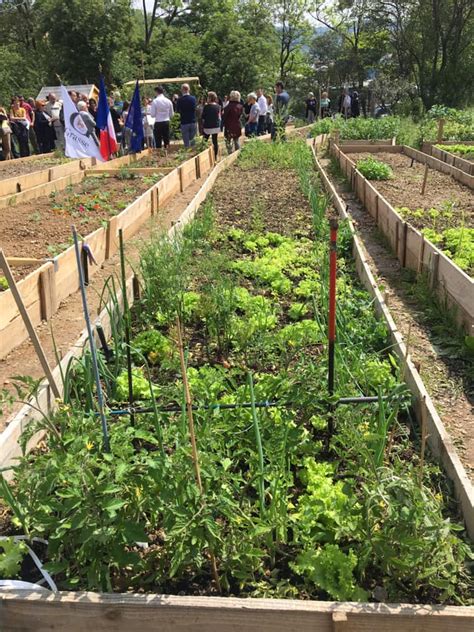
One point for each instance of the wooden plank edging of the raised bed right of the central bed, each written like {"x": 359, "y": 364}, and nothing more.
{"x": 453, "y": 286}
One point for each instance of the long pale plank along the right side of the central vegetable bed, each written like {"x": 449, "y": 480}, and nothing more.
{"x": 439, "y": 440}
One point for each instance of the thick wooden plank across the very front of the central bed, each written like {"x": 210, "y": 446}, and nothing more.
{"x": 80, "y": 612}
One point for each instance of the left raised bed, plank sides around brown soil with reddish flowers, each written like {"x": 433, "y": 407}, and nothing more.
{"x": 44, "y": 288}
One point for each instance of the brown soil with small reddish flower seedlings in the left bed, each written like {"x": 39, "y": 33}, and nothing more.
{"x": 42, "y": 227}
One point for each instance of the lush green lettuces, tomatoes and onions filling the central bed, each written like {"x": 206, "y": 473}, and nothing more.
{"x": 282, "y": 516}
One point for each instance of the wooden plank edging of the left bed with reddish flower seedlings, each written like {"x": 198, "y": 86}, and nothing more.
{"x": 43, "y": 292}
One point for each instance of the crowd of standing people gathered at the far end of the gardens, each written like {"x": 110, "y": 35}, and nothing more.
{"x": 37, "y": 126}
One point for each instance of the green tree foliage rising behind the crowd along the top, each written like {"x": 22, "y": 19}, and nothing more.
{"x": 421, "y": 51}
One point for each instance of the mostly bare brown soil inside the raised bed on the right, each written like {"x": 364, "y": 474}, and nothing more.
{"x": 443, "y": 192}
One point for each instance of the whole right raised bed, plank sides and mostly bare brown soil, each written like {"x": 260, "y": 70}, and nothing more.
{"x": 414, "y": 250}
